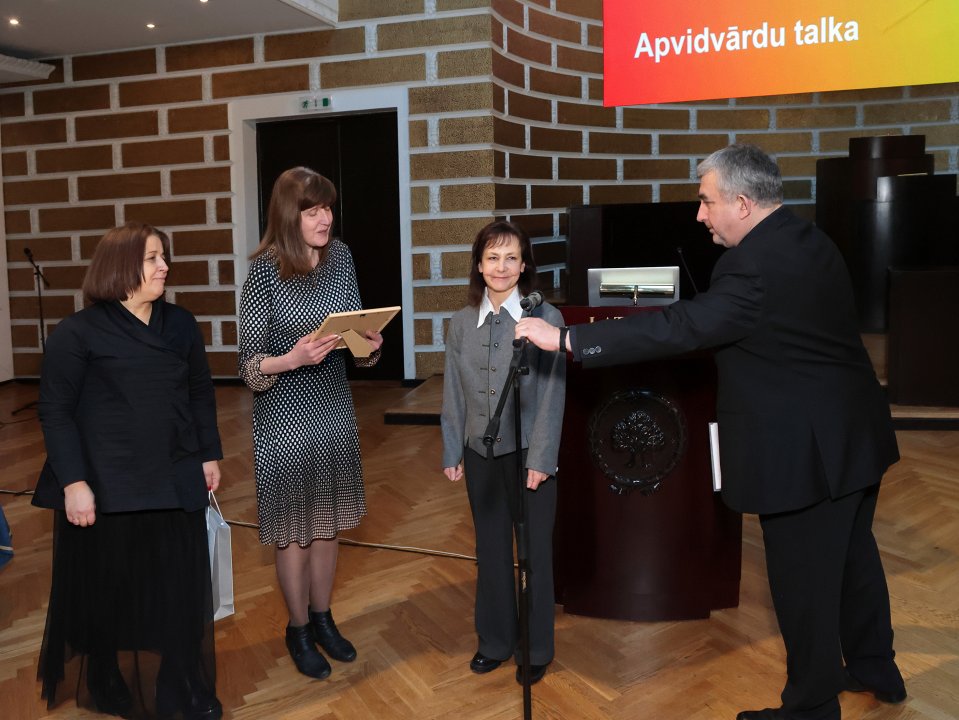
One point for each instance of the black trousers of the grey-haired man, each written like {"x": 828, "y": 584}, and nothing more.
{"x": 831, "y": 599}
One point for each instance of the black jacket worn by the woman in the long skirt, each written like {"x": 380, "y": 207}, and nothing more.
{"x": 129, "y": 408}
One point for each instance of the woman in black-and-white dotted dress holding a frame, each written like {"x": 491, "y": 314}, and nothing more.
{"x": 306, "y": 450}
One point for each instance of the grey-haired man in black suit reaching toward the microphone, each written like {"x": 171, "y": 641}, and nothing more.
{"x": 805, "y": 430}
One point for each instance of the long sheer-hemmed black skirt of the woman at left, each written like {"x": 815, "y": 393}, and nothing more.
{"x": 135, "y": 586}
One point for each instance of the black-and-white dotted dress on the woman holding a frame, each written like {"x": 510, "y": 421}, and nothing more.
{"x": 306, "y": 448}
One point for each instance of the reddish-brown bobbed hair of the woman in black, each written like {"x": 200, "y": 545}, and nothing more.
{"x": 116, "y": 269}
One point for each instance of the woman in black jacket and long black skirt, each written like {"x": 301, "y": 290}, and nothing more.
{"x": 129, "y": 421}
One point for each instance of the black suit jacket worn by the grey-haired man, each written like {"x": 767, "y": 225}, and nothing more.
{"x": 801, "y": 414}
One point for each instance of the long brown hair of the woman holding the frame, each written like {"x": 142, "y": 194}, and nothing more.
{"x": 296, "y": 190}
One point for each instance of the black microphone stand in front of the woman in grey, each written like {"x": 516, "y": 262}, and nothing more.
{"x": 519, "y": 366}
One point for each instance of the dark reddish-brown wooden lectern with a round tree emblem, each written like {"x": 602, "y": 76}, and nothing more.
{"x": 641, "y": 554}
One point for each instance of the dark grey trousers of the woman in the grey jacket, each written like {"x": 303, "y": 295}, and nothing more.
{"x": 491, "y": 486}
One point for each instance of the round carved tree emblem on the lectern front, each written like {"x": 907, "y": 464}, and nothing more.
{"x": 637, "y": 437}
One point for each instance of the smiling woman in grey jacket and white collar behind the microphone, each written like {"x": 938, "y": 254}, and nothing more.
{"x": 478, "y": 354}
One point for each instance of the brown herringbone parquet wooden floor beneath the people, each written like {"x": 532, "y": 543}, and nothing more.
{"x": 410, "y": 614}
